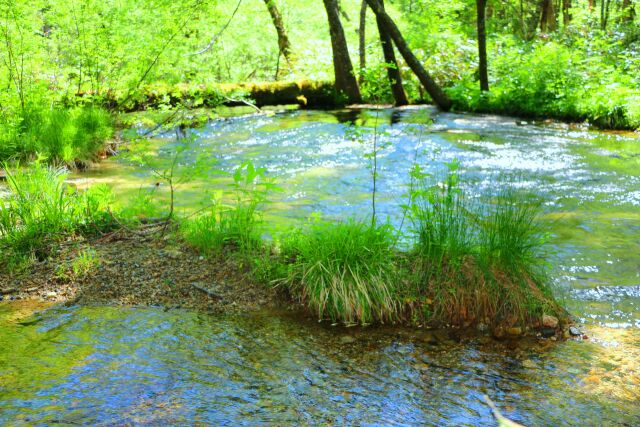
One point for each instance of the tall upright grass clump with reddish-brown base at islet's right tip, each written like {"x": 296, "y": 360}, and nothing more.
{"x": 476, "y": 260}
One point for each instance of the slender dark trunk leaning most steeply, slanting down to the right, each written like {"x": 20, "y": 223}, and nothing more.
{"x": 390, "y": 28}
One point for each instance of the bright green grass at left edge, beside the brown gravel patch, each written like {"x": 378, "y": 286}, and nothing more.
{"x": 41, "y": 209}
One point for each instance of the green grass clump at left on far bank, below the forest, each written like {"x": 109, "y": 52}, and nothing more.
{"x": 71, "y": 137}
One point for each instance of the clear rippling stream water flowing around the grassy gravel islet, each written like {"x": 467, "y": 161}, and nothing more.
{"x": 115, "y": 366}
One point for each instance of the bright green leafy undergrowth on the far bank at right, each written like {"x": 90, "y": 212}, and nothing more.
{"x": 550, "y": 80}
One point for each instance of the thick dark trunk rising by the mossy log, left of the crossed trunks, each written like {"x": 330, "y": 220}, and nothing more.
{"x": 345, "y": 79}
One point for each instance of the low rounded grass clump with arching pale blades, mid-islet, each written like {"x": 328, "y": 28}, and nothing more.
{"x": 344, "y": 271}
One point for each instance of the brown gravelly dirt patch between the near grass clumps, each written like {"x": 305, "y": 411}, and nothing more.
{"x": 128, "y": 269}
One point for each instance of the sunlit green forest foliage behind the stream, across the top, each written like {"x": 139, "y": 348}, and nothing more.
{"x": 571, "y": 60}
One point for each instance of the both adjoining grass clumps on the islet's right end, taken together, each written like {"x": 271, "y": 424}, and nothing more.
{"x": 472, "y": 262}
